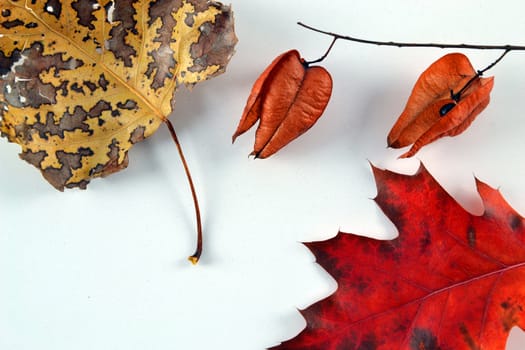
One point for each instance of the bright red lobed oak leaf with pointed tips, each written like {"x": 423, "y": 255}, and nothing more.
{"x": 451, "y": 280}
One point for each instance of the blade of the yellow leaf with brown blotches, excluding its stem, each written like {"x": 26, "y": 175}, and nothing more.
{"x": 81, "y": 81}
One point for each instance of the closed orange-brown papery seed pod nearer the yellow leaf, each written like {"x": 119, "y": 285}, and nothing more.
{"x": 288, "y": 98}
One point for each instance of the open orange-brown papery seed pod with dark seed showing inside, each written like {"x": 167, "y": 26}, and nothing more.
{"x": 445, "y": 100}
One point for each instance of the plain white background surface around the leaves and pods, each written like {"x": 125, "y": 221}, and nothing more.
{"x": 106, "y": 268}
